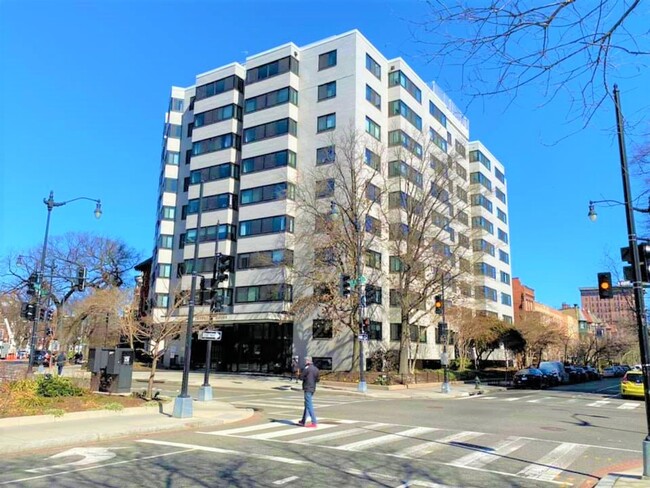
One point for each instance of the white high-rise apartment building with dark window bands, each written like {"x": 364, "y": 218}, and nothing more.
{"x": 253, "y": 134}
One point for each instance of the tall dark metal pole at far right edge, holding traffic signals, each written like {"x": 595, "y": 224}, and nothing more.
{"x": 639, "y": 306}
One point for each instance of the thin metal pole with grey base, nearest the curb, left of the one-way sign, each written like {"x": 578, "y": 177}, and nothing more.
{"x": 183, "y": 402}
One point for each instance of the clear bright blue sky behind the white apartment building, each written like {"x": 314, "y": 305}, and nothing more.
{"x": 85, "y": 86}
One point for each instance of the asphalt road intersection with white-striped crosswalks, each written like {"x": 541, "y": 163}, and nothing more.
{"x": 517, "y": 438}
